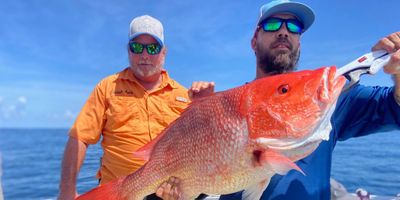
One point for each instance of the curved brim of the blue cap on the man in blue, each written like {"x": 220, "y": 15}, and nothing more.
{"x": 304, "y": 13}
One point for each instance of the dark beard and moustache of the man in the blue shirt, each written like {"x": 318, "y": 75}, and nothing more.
{"x": 282, "y": 62}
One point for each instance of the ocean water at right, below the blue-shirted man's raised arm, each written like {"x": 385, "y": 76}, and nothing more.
{"x": 371, "y": 162}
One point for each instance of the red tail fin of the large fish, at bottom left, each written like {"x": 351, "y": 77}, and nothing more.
{"x": 109, "y": 191}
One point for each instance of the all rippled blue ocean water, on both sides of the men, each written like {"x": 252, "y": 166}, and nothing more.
{"x": 31, "y": 161}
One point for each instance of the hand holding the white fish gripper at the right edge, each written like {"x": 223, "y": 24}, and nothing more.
{"x": 391, "y": 44}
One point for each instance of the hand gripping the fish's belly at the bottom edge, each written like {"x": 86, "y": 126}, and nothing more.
{"x": 169, "y": 190}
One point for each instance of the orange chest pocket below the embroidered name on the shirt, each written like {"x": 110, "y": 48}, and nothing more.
{"x": 122, "y": 112}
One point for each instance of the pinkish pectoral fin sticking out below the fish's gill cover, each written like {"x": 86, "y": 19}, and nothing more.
{"x": 279, "y": 163}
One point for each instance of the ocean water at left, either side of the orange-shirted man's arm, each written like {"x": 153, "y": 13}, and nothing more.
{"x": 32, "y": 163}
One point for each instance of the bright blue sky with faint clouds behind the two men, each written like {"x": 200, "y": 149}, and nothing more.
{"x": 52, "y": 53}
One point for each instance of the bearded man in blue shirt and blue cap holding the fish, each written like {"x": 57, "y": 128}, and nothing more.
{"x": 360, "y": 111}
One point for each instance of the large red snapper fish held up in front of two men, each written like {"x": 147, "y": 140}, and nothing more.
{"x": 236, "y": 139}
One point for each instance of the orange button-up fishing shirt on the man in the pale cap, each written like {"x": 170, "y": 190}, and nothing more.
{"x": 128, "y": 117}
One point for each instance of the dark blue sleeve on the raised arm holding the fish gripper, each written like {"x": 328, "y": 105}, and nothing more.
{"x": 364, "y": 110}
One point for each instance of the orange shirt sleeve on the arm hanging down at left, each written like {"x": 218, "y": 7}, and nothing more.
{"x": 90, "y": 121}
